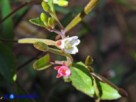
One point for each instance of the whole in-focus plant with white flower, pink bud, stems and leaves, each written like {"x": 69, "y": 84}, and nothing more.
{"x": 80, "y": 74}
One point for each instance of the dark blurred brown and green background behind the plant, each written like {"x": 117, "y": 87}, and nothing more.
{"x": 108, "y": 34}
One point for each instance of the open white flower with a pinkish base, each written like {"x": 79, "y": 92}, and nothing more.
{"x": 69, "y": 44}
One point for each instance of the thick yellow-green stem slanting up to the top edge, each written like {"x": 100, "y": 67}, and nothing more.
{"x": 81, "y": 15}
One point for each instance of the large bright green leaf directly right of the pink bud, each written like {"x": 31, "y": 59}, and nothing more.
{"x": 81, "y": 79}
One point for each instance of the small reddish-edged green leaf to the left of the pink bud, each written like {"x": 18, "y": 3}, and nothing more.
{"x": 42, "y": 63}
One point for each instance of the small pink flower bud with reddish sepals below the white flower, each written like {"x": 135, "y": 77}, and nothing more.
{"x": 63, "y": 71}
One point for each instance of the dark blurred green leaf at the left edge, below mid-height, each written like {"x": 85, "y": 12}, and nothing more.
{"x": 7, "y": 63}
